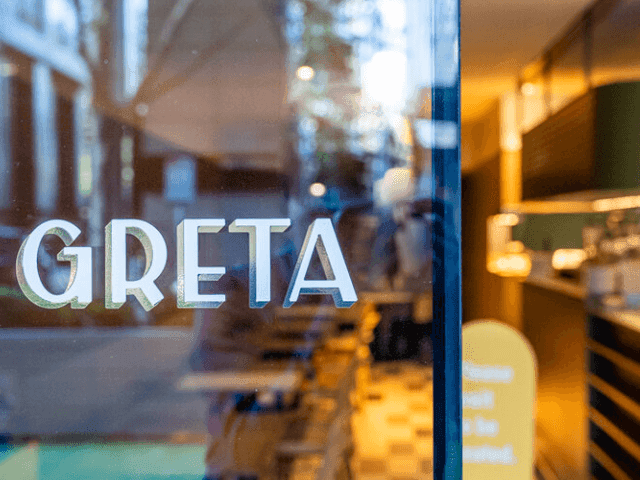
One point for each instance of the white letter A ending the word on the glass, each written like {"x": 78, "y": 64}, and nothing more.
{"x": 338, "y": 284}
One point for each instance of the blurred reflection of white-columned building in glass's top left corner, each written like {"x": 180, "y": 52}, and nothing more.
{"x": 46, "y": 87}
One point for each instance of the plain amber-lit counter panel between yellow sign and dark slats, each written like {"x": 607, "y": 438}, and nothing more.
{"x": 553, "y": 320}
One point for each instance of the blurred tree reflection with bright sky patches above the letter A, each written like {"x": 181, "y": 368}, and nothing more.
{"x": 330, "y": 38}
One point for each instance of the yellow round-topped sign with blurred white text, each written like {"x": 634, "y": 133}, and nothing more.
{"x": 498, "y": 401}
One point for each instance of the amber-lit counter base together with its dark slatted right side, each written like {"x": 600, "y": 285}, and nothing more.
{"x": 588, "y": 405}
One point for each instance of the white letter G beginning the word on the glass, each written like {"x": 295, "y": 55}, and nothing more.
{"x": 79, "y": 290}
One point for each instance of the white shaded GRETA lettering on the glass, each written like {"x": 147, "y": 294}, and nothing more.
{"x": 320, "y": 235}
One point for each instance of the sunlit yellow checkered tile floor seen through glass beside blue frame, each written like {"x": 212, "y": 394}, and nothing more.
{"x": 393, "y": 431}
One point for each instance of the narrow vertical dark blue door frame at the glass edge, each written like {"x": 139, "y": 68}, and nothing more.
{"x": 447, "y": 344}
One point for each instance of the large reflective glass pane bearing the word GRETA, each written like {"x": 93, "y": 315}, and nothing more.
{"x": 216, "y": 237}
